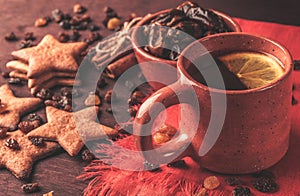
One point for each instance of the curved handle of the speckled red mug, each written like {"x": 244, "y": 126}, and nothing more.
{"x": 176, "y": 148}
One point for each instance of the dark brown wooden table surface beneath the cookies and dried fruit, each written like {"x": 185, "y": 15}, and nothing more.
{"x": 58, "y": 173}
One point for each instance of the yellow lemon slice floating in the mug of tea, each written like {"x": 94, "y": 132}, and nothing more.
{"x": 253, "y": 69}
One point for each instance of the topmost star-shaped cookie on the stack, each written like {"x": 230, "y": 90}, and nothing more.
{"x": 50, "y": 55}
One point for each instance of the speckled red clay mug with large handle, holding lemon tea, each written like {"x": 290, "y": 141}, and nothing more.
{"x": 226, "y": 131}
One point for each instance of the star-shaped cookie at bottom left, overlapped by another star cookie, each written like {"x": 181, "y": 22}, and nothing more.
{"x": 20, "y": 161}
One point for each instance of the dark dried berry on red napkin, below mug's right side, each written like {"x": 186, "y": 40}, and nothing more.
{"x": 265, "y": 185}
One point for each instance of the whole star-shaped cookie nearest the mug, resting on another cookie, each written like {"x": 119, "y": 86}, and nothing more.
{"x": 70, "y": 129}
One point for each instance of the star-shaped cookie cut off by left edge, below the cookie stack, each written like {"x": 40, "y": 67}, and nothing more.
{"x": 16, "y": 107}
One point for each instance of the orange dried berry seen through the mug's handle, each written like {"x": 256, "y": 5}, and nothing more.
{"x": 164, "y": 134}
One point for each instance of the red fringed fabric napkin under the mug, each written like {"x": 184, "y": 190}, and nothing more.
{"x": 108, "y": 180}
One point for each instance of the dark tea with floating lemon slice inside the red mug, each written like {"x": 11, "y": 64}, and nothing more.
{"x": 239, "y": 70}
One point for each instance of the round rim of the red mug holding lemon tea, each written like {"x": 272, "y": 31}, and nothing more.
{"x": 287, "y": 67}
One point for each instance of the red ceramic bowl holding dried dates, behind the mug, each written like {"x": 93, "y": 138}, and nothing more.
{"x": 151, "y": 68}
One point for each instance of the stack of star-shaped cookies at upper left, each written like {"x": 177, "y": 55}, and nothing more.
{"x": 48, "y": 64}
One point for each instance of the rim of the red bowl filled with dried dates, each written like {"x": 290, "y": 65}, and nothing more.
{"x": 145, "y": 20}
